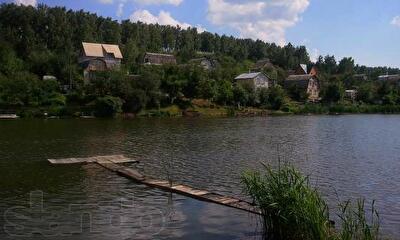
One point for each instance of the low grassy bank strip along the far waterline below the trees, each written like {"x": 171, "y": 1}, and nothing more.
{"x": 210, "y": 110}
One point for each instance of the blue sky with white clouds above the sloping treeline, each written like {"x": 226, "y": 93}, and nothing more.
{"x": 367, "y": 30}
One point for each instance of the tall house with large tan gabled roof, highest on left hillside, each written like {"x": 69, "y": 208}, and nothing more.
{"x": 97, "y": 57}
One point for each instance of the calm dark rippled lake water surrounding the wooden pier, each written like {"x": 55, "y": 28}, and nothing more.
{"x": 346, "y": 156}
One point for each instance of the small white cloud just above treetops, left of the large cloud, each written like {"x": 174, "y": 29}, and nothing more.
{"x": 163, "y": 18}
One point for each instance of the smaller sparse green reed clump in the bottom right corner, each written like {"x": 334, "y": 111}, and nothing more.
{"x": 355, "y": 224}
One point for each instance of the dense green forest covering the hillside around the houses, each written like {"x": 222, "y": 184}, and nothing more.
{"x": 40, "y": 41}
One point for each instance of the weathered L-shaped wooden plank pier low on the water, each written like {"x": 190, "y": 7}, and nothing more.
{"x": 111, "y": 163}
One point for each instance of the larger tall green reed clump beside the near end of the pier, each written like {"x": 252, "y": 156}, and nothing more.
{"x": 291, "y": 208}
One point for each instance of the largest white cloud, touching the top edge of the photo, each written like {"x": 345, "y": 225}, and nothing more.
{"x": 259, "y": 19}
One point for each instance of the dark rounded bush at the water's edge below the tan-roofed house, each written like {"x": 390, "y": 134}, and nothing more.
{"x": 108, "y": 106}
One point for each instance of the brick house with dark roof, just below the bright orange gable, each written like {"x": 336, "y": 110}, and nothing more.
{"x": 305, "y": 82}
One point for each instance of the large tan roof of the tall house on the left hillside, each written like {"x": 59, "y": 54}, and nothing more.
{"x": 99, "y": 50}
